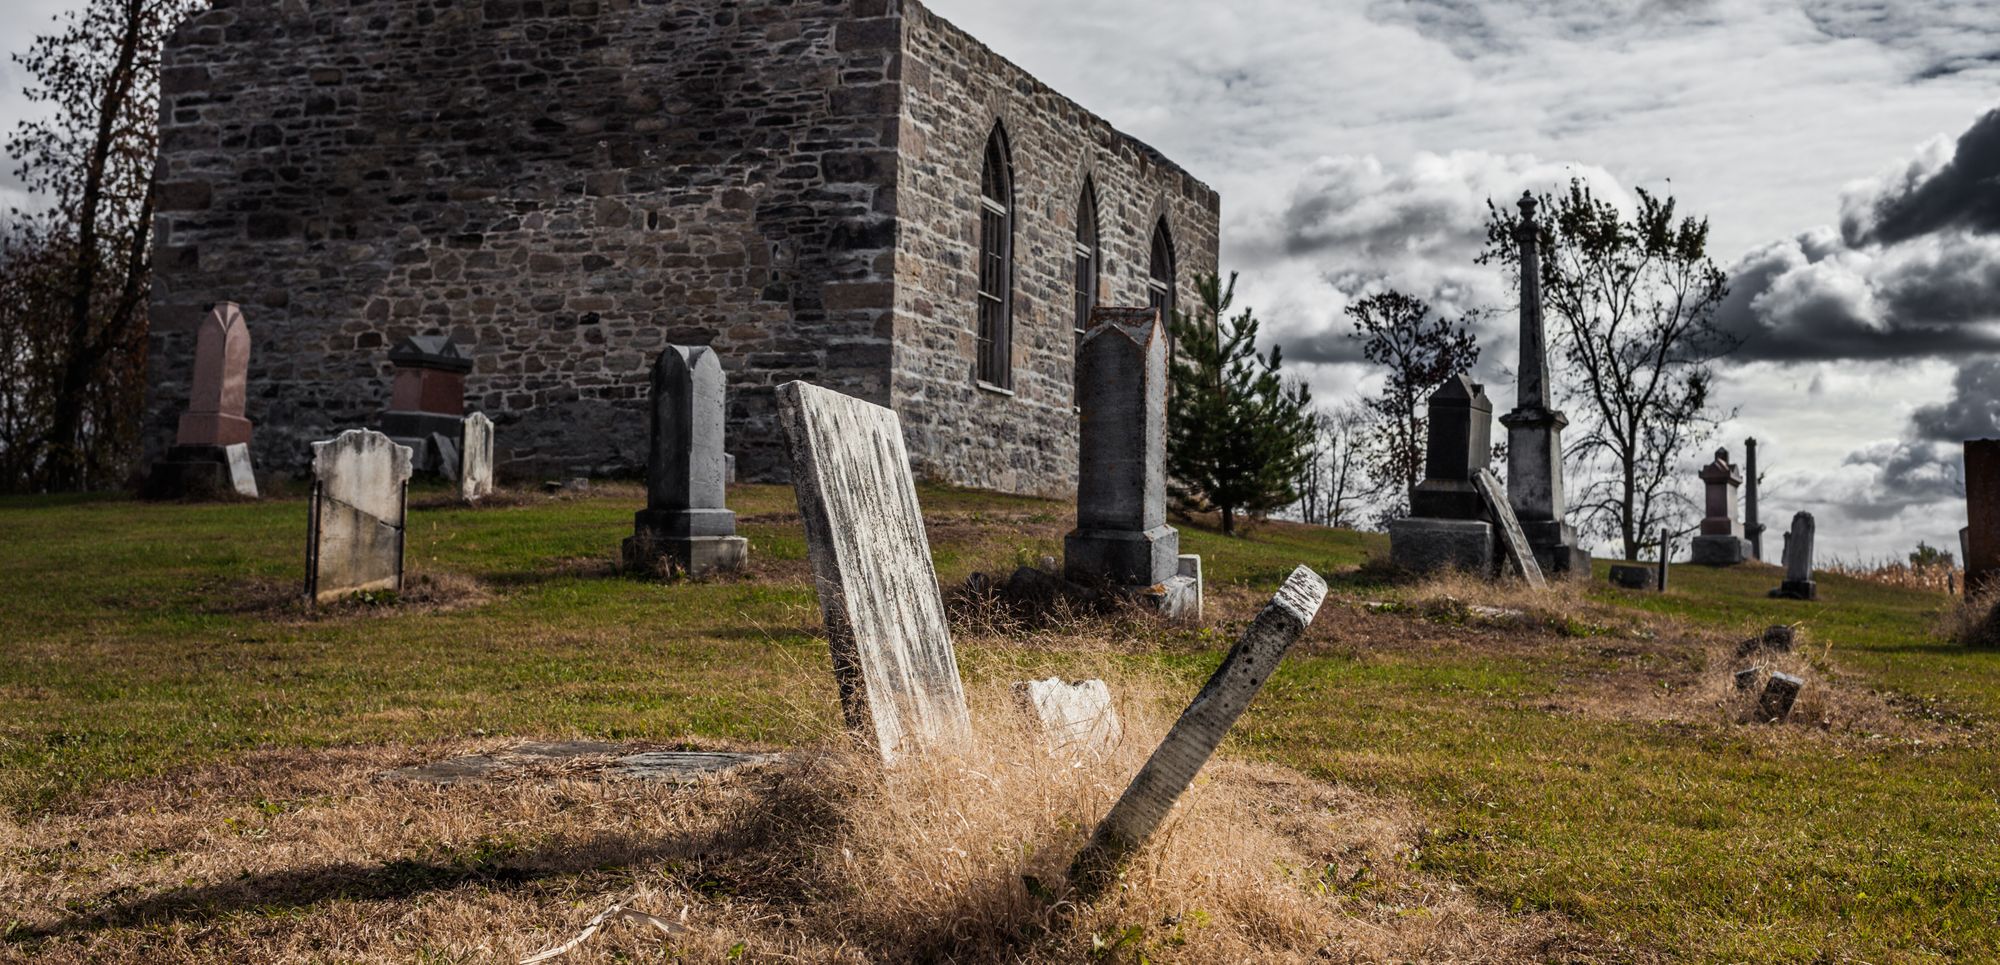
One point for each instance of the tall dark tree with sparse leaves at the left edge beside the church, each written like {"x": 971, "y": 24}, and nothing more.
{"x": 89, "y": 255}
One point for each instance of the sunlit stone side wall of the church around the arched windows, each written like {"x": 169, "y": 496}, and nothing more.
{"x": 955, "y": 93}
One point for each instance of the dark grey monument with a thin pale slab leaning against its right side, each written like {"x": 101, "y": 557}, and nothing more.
{"x": 1447, "y": 526}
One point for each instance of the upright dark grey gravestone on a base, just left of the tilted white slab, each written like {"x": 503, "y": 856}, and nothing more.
{"x": 687, "y": 520}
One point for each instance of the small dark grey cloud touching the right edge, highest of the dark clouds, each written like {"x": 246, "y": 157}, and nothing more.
{"x": 1961, "y": 193}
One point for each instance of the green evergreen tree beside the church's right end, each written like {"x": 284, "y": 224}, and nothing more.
{"x": 1237, "y": 431}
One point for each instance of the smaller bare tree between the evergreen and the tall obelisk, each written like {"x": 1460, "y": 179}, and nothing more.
{"x": 1421, "y": 351}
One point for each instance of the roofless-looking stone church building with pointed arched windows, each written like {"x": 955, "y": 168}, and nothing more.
{"x": 843, "y": 191}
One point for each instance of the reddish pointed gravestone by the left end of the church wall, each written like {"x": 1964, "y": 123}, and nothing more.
{"x": 211, "y": 451}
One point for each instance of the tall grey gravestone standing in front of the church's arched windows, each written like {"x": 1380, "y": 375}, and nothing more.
{"x": 1121, "y": 532}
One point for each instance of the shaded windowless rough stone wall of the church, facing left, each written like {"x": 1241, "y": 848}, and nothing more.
{"x": 563, "y": 185}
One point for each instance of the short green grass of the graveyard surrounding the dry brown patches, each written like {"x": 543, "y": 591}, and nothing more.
{"x": 149, "y": 638}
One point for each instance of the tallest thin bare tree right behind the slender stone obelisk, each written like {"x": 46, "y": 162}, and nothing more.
{"x": 1637, "y": 299}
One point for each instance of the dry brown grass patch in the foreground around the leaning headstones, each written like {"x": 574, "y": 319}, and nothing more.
{"x": 959, "y": 858}
